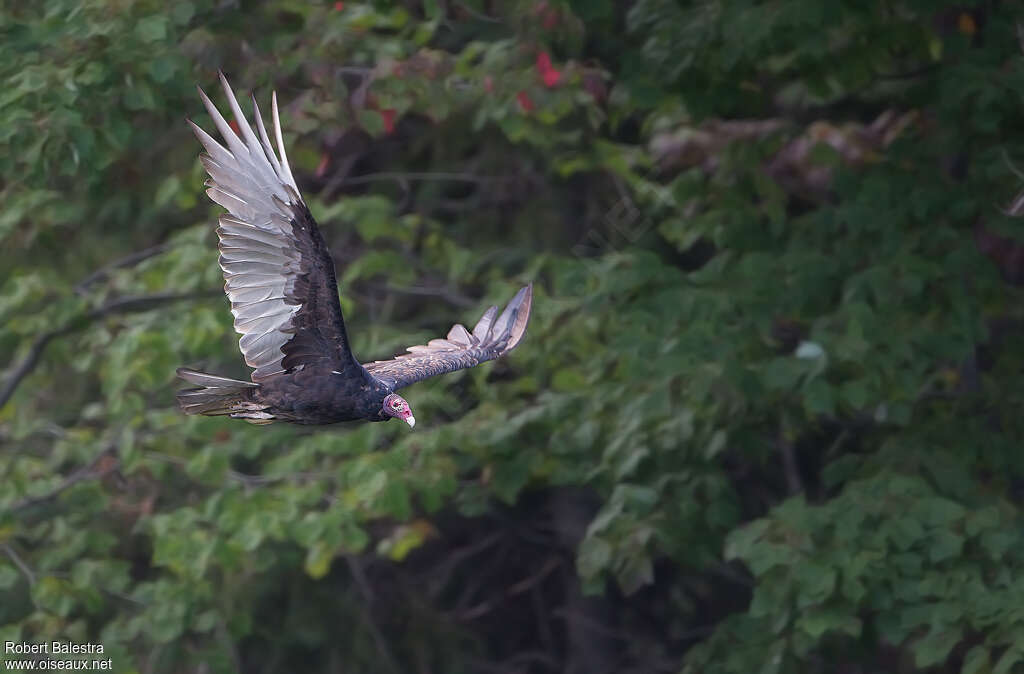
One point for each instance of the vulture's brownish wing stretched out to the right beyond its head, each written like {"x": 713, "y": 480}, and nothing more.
{"x": 491, "y": 340}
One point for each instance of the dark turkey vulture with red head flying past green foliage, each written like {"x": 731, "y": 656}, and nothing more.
{"x": 281, "y": 281}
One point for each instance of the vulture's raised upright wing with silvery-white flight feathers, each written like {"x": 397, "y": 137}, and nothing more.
{"x": 278, "y": 272}
